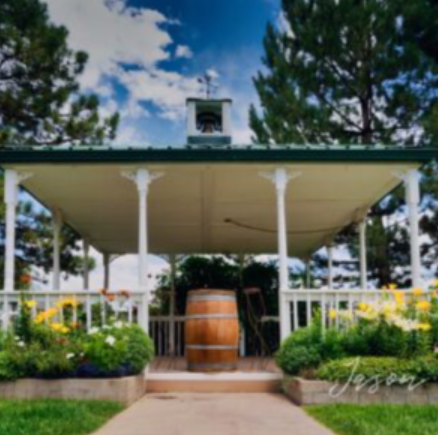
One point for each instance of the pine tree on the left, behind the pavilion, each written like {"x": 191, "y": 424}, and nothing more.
{"x": 40, "y": 104}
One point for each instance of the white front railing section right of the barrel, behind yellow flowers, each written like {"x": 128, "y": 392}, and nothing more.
{"x": 298, "y": 306}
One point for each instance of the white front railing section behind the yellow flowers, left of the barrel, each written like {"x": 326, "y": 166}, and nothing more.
{"x": 89, "y": 308}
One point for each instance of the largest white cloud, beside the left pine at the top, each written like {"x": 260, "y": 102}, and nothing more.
{"x": 114, "y": 35}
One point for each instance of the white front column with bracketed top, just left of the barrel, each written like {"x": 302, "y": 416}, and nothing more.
{"x": 143, "y": 178}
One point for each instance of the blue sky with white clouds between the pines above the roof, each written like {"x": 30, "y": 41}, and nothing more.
{"x": 145, "y": 57}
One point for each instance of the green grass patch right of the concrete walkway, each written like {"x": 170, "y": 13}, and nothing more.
{"x": 378, "y": 419}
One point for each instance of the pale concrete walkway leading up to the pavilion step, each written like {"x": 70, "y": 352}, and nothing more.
{"x": 213, "y": 414}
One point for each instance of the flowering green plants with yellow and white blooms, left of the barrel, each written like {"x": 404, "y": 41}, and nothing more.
{"x": 45, "y": 348}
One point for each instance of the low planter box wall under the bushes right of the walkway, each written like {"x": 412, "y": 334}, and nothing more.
{"x": 314, "y": 392}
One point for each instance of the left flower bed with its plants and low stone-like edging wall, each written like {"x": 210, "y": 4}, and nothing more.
{"x": 51, "y": 345}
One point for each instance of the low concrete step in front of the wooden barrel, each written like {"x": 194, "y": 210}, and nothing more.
{"x": 236, "y": 382}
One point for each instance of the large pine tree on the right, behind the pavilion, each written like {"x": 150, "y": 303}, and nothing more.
{"x": 353, "y": 72}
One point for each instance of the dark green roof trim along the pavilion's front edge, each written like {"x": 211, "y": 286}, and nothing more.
{"x": 227, "y": 155}
